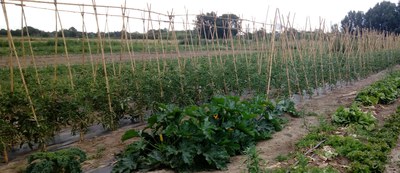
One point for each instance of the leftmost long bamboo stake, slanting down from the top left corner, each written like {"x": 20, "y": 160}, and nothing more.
{"x": 11, "y": 41}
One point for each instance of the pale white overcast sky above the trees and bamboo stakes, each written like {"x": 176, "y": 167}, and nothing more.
{"x": 302, "y": 13}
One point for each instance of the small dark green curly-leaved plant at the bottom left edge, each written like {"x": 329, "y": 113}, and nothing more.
{"x": 62, "y": 161}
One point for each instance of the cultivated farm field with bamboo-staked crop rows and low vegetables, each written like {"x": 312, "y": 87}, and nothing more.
{"x": 217, "y": 95}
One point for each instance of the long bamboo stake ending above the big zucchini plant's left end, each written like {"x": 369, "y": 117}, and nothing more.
{"x": 103, "y": 58}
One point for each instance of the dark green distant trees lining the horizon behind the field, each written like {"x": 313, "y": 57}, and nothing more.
{"x": 384, "y": 16}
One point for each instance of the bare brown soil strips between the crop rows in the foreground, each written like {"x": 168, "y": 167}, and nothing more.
{"x": 102, "y": 149}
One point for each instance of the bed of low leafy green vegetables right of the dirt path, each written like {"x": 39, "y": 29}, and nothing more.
{"x": 354, "y": 134}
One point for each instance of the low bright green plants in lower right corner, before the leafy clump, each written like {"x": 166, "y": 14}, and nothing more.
{"x": 366, "y": 153}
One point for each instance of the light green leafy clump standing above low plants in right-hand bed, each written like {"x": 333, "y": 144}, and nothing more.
{"x": 354, "y": 116}
